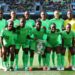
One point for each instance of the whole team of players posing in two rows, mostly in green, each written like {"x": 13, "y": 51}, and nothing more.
{"x": 42, "y": 36}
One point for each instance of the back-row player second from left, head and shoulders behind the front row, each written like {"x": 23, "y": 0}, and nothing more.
{"x": 14, "y": 19}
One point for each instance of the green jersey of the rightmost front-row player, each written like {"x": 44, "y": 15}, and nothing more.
{"x": 67, "y": 37}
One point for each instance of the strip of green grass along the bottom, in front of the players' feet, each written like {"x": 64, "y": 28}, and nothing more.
{"x": 38, "y": 73}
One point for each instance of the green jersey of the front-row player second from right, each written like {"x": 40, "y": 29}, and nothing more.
{"x": 52, "y": 39}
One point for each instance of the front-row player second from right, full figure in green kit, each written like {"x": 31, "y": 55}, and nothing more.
{"x": 54, "y": 45}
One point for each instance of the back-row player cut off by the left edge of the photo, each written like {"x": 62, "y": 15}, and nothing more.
{"x": 3, "y": 24}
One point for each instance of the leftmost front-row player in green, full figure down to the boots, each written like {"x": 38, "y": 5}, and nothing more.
{"x": 8, "y": 42}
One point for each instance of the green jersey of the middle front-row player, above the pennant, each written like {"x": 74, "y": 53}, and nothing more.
{"x": 39, "y": 35}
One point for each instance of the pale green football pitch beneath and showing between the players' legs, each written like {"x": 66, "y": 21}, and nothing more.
{"x": 35, "y": 72}
